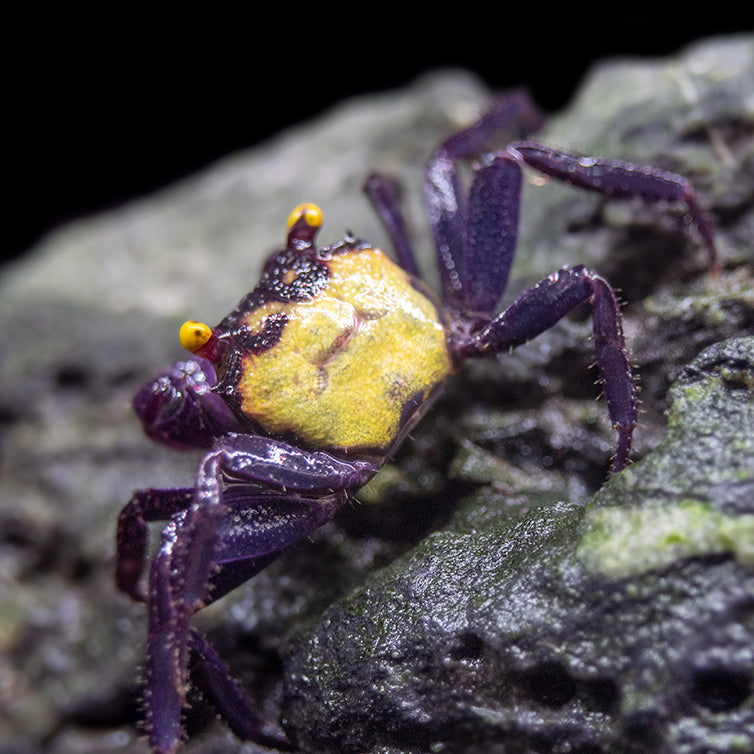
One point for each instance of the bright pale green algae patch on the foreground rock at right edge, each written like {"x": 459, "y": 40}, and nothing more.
{"x": 624, "y": 542}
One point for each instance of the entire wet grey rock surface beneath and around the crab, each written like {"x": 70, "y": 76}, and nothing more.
{"x": 479, "y": 597}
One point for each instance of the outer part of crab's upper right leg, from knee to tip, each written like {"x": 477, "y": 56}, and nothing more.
{"x": 618, "y": 178}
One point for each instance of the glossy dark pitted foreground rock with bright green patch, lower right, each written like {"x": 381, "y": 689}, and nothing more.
{"x": 626, "y": 625}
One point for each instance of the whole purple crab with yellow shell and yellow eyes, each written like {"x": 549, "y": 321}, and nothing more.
{"x": 309, "y": 385}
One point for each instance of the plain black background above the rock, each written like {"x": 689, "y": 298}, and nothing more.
{"x": 106, "y": 103}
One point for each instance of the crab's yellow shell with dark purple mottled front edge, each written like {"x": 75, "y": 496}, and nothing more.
{"x": 297, "y": 347}
